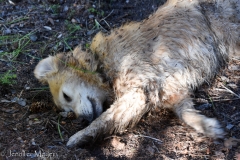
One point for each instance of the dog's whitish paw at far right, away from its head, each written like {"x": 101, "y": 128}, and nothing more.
{"x": 212, "y": 128}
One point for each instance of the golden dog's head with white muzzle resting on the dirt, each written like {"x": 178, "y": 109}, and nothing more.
{"x": 74, "y": 83}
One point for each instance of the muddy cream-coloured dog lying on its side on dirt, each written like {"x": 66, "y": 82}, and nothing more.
{"x": 154, "y": 63}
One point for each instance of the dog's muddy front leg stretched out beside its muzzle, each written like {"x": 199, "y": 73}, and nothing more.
{"x": 125, "y": 112}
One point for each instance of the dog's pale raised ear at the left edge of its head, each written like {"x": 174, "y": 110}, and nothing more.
{"x": 45, "y": 68}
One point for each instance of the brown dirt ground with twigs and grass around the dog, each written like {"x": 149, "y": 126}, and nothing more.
{"x": 30, "y": 127}
